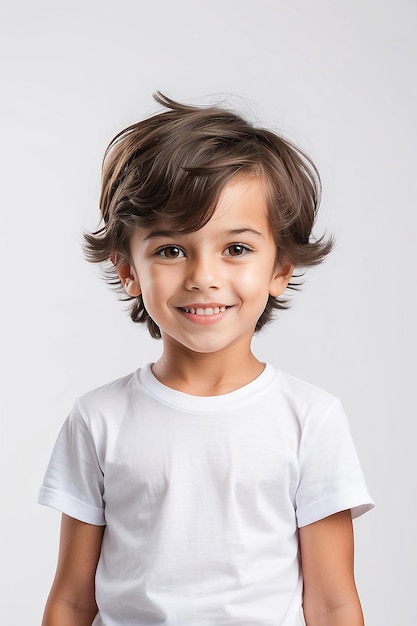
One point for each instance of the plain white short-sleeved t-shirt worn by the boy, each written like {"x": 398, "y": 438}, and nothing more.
{"x": 202, "y": 496}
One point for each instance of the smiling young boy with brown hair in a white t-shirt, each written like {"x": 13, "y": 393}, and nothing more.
{"x": 206, "y": 489}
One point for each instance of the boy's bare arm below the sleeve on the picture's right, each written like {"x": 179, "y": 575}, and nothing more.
{"x": 330, "y": 597}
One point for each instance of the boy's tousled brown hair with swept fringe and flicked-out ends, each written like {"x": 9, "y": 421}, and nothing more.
{"x": 174, "y": 166}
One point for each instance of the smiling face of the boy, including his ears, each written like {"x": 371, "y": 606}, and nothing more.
{"x": 207, "y": 289}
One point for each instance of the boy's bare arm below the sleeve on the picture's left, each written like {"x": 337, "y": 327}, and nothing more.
{"x": 71, "y": 601}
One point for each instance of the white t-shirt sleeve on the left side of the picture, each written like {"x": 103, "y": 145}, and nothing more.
{"x": 73, "y": 482}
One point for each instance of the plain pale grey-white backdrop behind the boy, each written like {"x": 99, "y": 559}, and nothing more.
{"x": 338, "y": 78}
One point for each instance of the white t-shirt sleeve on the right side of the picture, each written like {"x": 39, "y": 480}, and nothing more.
{"x": 331, "y": 478}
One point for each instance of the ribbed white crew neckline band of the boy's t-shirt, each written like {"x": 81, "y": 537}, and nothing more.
{"x": 204, "y": 404}
